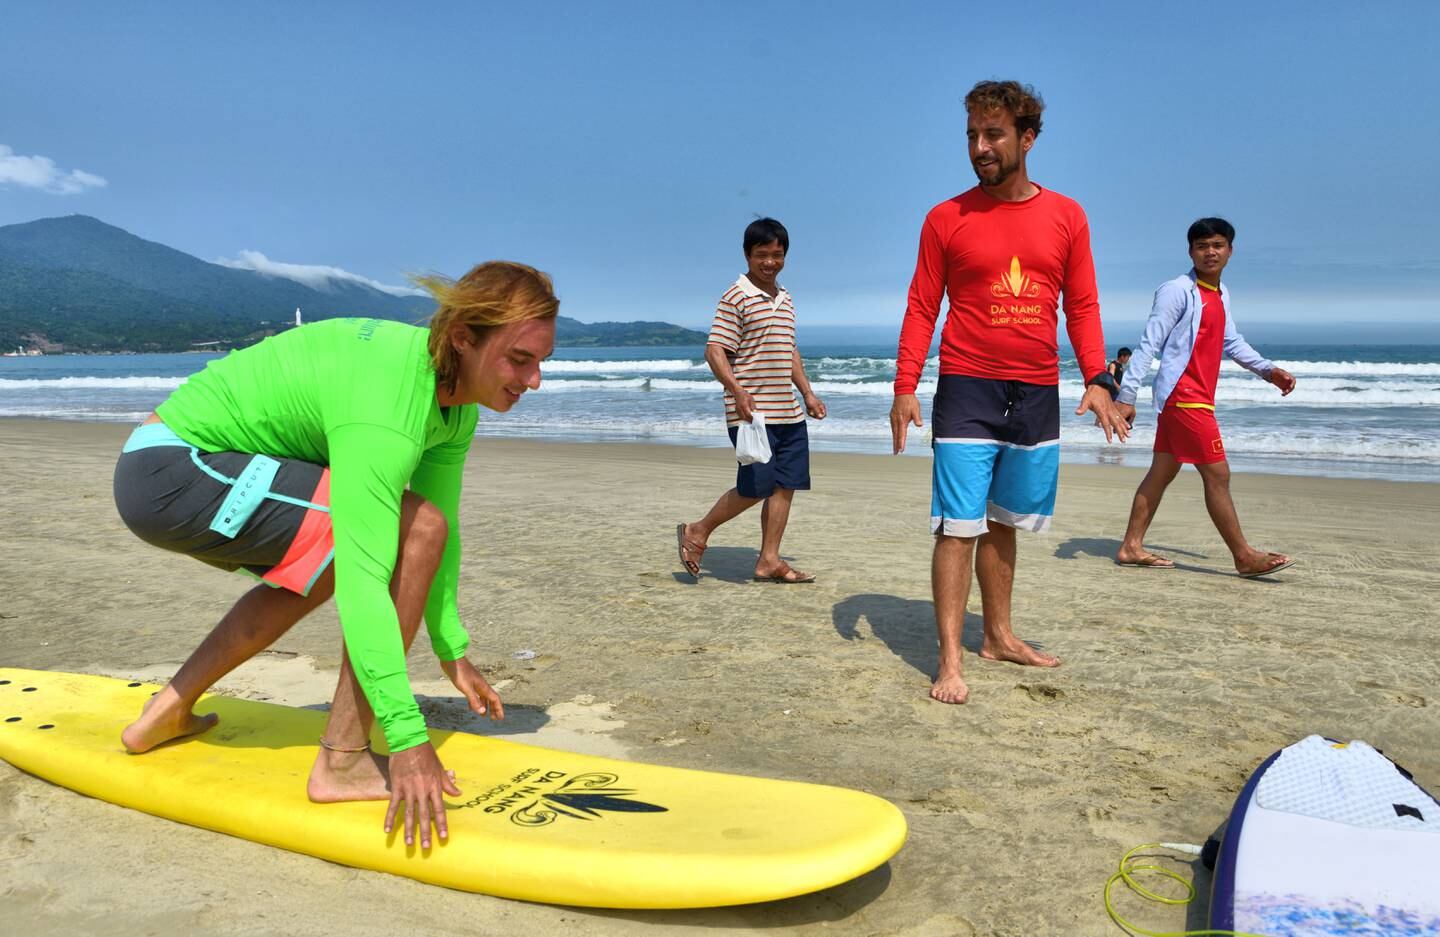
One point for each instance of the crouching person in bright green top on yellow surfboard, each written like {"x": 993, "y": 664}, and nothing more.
{"x": 342, "y": 441}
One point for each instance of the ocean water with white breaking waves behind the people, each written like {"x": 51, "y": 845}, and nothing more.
{"x": 1359, "y": 411}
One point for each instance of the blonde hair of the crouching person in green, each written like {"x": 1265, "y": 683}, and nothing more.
{"x": 490, "y": 296}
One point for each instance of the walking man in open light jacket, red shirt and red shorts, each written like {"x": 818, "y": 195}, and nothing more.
{"x": 1190, "y": 327}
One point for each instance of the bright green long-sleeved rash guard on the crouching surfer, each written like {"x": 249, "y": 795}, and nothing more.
{"x": 359, "y": 397}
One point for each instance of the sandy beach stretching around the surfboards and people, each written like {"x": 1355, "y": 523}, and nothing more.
{"x": 1176, "y": 684}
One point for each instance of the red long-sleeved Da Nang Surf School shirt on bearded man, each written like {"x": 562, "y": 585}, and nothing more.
{"x": 1004, "y": 266}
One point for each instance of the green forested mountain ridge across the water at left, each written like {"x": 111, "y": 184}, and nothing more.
{"x": 80, "y": 284}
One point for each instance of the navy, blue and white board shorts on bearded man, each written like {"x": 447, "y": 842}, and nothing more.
{"x": 997, "y": 456}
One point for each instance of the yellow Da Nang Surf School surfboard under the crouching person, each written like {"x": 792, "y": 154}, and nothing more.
{"x": 535, "y": 824}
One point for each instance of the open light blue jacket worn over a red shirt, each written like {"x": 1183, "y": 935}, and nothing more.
{"x": 1170, "y": 336}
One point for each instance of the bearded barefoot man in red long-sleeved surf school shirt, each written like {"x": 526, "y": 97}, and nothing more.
{"x": 1004, "y": 253}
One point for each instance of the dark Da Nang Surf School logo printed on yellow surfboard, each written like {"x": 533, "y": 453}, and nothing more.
{"x": 539, "y": 798}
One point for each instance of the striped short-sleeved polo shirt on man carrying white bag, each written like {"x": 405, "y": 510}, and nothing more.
{"x": 758, "y": 335}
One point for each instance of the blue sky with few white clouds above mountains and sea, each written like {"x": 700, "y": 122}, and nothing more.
{"x": 626, "y": 146}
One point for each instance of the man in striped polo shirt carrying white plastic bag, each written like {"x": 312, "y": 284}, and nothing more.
{"x": 752, "y": 353}
